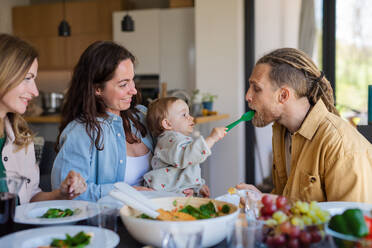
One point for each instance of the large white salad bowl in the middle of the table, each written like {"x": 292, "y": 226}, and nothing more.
{"x": 150, "y": 232}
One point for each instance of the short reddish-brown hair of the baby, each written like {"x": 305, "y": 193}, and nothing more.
{"x": 157, "y": 112}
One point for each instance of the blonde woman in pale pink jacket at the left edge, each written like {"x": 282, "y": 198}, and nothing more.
{"x": 18, "y": 70}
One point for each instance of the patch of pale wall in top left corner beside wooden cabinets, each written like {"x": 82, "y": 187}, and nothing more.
{"x": 6, "y": 14}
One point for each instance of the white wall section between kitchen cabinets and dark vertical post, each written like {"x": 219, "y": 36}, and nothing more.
{"x": 219, "y": 44}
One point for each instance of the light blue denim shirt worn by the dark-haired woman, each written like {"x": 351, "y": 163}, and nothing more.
{"x": 100, "y": 169}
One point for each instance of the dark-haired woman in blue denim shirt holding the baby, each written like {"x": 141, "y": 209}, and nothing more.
{"x": 103, "y": 134}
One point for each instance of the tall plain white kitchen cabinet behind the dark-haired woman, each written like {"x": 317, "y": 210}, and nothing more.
{"x": 163, "y": 43}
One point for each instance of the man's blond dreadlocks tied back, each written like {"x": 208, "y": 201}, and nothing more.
{"x": 295, "y": 68}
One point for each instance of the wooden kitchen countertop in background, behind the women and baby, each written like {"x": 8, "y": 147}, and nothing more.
{"x": 57, "y": 118}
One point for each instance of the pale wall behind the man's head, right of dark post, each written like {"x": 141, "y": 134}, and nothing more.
{"x": 276, "y": 25}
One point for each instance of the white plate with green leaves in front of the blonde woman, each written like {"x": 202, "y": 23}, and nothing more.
{"x": 30, "y": 213}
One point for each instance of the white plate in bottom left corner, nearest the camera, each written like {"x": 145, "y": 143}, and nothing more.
{"x": 43, "y": 236}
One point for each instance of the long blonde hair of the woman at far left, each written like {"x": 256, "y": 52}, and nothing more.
{"x": 16, "y": 58}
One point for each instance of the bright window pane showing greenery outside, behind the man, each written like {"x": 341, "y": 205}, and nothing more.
{"x": 353, "y": 55}
